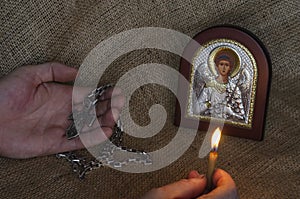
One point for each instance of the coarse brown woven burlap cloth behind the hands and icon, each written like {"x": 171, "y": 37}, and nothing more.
{"x": 65, "y": 31}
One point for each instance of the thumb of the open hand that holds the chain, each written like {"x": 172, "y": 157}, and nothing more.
{"x": 50, "y": 72}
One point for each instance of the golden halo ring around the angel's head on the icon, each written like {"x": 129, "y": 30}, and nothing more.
{"x": 217, "y": 51}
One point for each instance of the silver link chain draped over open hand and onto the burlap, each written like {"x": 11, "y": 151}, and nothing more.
{"x": 84, "y": 117}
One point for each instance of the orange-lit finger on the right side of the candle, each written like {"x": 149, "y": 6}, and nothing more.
{"x": 225, "y": 186}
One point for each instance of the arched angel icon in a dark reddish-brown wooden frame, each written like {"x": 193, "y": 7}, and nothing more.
{"x": 228, "y": 77}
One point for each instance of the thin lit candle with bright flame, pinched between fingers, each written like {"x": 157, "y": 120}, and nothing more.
{"x": 213, "y": 155}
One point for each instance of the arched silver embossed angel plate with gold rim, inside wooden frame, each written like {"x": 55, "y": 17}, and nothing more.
{"x": 232, "y": 99}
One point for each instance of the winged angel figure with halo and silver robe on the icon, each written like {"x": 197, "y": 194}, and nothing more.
{"x": 220, "y": 96}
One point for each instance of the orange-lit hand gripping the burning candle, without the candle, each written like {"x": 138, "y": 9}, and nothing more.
{"x": 194, "y": 187}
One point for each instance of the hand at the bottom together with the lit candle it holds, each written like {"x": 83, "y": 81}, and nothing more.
{"x": 194, "y": 186}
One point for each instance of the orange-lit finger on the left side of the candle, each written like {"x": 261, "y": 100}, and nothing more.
{"x": 185, "y": 188}
